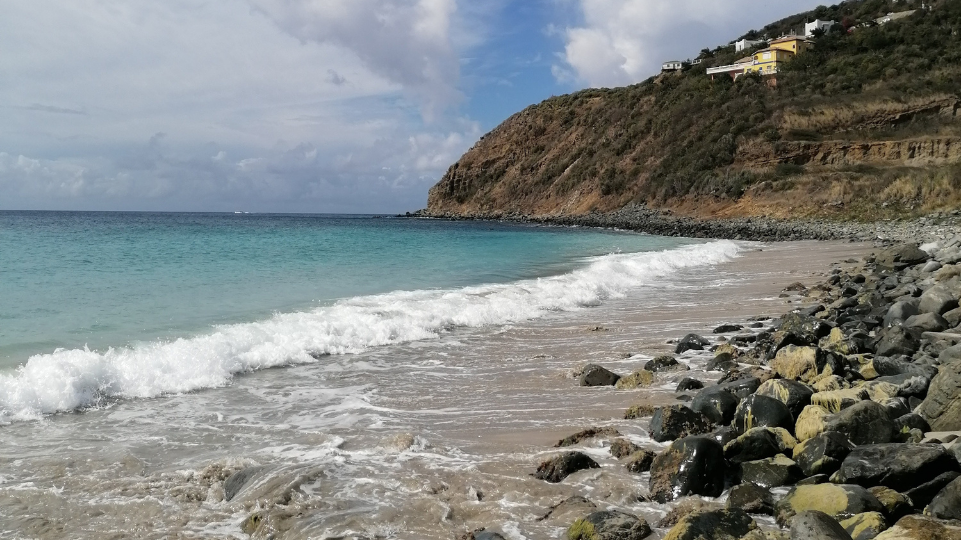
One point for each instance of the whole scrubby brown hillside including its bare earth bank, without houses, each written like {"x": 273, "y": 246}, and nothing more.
{"x": 864, "y": 126}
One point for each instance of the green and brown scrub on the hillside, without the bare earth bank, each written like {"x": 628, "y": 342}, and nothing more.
{"x": 681, "y": 134}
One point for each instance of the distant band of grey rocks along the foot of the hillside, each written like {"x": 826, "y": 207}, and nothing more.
{"x": 939, "y": 226}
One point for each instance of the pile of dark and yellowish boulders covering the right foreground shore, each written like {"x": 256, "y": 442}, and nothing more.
{"x": 840, "y": 419}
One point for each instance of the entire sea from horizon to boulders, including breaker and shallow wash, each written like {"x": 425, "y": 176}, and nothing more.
{"x": 380, "y": 377}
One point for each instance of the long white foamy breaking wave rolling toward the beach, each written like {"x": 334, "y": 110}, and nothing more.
{"x": 67, "y": 380}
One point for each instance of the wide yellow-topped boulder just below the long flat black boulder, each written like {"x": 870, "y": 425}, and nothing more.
{"x": 833, "y": 499}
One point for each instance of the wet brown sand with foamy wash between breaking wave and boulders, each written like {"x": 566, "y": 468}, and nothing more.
{"x": 426, "y": 440}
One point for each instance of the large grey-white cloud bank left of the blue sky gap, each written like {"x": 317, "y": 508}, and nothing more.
{"x": 195, "y": 105}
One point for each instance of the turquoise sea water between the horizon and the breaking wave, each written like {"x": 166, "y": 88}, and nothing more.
{"x": 99, "y": 280}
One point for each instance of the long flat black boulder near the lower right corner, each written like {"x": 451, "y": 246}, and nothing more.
{"x": 898, "y": 466}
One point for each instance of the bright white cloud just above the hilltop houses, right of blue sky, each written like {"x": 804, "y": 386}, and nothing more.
{"x": 624, "y": 41}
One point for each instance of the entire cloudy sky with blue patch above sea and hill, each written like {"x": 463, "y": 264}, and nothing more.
{"x": 332, "y": 106}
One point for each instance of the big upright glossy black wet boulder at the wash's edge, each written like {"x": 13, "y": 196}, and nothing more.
{"x": 690, "y": 466}
